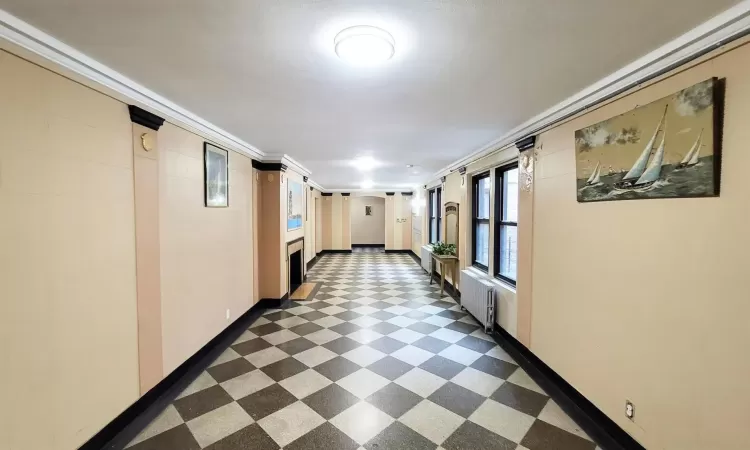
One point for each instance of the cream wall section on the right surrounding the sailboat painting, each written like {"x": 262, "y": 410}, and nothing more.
{"x": 642, "y": 299}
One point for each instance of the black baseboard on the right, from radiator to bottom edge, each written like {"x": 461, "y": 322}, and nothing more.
{"x": 594, "y": 422}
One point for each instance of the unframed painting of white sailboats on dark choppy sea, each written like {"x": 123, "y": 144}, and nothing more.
{"x": 666, "y": 149}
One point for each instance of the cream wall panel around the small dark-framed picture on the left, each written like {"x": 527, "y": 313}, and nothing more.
{"x": 206, "y": 253}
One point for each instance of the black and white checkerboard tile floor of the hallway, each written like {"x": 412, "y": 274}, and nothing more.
{"x": 378, "y": 360}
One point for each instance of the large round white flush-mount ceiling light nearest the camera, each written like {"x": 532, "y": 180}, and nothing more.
{"x": 364, "y": 45}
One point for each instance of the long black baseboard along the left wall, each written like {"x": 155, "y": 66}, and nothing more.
{"x": 123, "y": 428}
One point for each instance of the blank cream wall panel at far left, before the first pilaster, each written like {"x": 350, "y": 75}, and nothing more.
{"x": 67, "y": 265}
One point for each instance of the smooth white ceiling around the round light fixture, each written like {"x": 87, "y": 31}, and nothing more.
{"x": 465, "y": 71}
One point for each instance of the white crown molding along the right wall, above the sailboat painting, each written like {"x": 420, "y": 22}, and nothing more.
{"x": 723, "y": 28}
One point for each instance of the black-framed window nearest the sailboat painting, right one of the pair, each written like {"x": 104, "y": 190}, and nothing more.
{"x": 506, "y": 223}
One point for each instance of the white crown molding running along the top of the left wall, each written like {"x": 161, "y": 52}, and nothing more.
{"x": 67, "y": 58}
